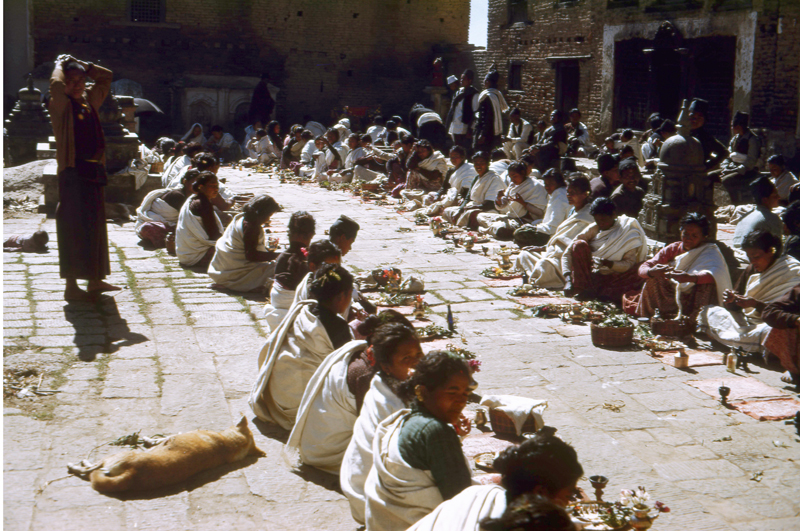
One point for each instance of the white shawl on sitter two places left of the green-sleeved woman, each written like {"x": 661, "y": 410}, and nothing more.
{"x": 326, "y": 415}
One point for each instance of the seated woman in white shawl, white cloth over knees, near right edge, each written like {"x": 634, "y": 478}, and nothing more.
{"x": 768, "y": 277}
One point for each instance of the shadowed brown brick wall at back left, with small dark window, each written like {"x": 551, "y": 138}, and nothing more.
{"x": 320, "y": 53}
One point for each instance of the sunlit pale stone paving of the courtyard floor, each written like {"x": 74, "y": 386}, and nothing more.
{"x": 170, "y": 355}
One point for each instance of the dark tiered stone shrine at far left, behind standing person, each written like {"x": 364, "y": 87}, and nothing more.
{"x": 27, "y": 125}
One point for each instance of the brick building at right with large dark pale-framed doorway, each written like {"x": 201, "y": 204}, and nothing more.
{"x": 741, "y": 55}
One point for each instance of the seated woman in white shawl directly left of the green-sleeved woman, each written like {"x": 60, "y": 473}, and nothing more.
{"x": 382, "y": 400}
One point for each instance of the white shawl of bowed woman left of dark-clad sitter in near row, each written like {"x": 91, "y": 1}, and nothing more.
{"x": 230, "y": 267}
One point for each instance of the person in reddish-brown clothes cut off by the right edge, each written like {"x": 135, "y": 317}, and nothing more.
{"x": 783, "y": 315}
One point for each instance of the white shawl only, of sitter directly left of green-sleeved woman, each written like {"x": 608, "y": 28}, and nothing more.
{"x": 379, "y": 403}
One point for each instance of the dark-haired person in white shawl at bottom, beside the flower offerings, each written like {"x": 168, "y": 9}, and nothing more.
{"x": 543, "y": 465}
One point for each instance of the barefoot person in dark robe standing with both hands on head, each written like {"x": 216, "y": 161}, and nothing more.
{"x": 80, "y": 153}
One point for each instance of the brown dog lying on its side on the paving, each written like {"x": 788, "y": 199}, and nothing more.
{"x": 171, "y": 460}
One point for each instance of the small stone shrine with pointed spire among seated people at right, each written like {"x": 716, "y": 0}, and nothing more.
{"x": 679, "y": 186}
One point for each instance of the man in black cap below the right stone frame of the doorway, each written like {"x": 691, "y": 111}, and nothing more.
{"x": 741, "y": 167}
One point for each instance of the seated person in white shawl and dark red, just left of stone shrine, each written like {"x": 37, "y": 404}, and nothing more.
{"x": 603, "y": 260}
